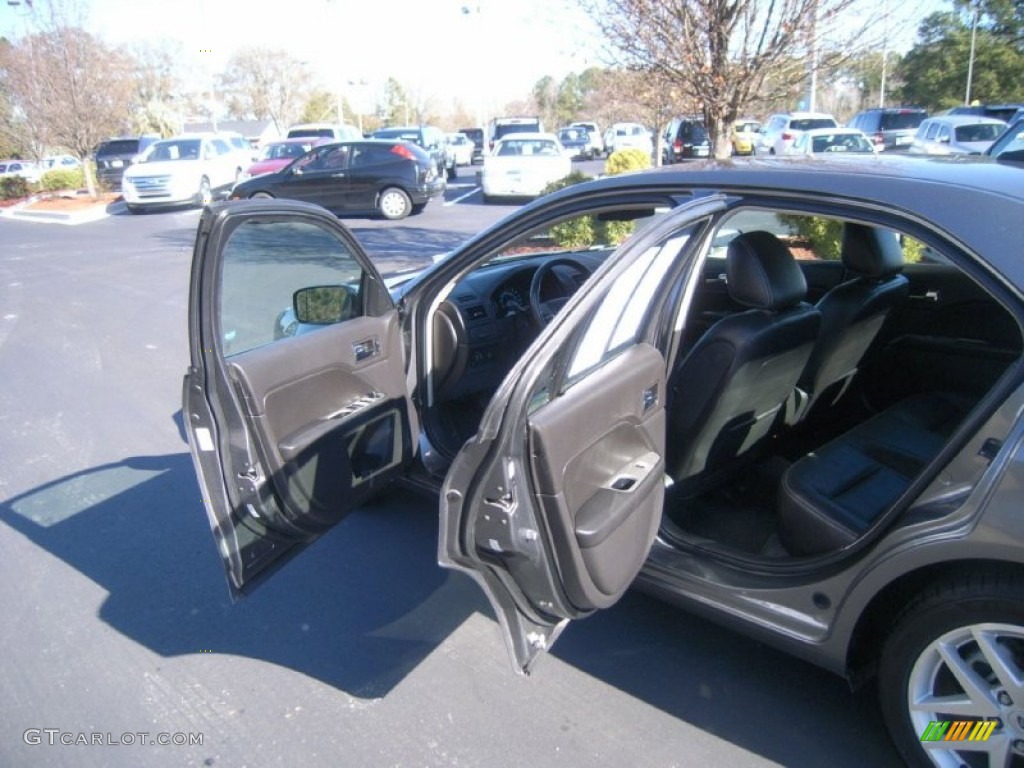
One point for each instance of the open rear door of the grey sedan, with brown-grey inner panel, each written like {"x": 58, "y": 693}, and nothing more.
{"x": 553, "y": 506}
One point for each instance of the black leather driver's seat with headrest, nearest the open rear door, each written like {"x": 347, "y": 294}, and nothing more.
{"x": 727, "y": 395}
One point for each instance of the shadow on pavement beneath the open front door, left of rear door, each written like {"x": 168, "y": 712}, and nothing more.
{"x": 362, "y": 608}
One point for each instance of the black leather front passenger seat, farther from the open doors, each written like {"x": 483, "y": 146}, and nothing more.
{"x": 852, "y": 313}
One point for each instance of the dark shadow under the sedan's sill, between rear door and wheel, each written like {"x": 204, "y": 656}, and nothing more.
{"x": 731, "y": 686}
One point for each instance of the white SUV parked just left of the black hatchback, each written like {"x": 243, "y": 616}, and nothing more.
{"x": 186, "y": 169}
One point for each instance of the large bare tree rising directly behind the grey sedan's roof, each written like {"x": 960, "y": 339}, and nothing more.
{"x": 729, "y": 58}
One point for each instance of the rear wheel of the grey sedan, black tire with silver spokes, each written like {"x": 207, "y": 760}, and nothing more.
{"x": 955, "y": 616}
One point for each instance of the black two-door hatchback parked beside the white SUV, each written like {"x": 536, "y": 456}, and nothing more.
{"x": 390, "y": 179}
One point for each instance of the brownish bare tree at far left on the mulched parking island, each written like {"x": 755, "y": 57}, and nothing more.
{"x": 69, "y": 89}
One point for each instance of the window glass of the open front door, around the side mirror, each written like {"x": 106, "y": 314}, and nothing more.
{"x": 264, "y": 265}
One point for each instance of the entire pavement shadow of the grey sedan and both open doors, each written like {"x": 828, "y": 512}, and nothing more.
{"x": 368, "y": 603}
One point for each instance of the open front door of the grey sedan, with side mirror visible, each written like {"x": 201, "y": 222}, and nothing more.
{"x": 295, "y": 402}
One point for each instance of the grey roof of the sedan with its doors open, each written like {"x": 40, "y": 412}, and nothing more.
{"x": 934, "y": 189}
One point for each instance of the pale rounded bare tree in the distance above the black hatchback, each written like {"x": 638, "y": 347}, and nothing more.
{"x": 267, "y": 84}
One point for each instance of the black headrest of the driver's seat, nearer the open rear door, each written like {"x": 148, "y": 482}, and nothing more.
{"x": 762, "y": 273}
